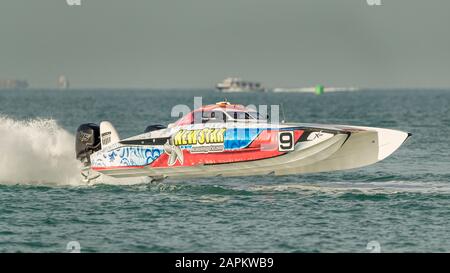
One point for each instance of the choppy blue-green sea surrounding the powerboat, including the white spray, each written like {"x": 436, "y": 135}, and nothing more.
{"x": 401, "y": 203}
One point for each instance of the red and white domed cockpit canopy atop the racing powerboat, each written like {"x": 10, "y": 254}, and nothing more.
{"x": 221, "y": 112}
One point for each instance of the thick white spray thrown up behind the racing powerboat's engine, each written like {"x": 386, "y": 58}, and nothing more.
{"x": 36, "y": 151}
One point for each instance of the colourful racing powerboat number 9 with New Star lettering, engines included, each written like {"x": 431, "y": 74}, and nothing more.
{"x": 226, "y": 139}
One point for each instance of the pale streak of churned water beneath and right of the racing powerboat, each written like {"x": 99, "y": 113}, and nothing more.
{"x": 221, "y": 192}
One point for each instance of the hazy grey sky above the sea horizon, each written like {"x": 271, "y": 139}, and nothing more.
{"x": 195, "y": 43}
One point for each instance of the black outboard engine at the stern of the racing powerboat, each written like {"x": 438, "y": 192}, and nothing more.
{"x": 87, "y": 141}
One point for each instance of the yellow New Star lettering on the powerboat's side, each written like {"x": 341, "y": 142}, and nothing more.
{"x": 199, "y": 137}
